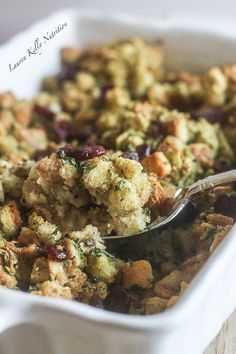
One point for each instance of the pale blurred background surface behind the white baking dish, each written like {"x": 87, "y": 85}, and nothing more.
{"x": 17, "y": 15}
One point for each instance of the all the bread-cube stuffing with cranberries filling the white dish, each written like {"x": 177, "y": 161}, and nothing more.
{"x": 101, "y": 150}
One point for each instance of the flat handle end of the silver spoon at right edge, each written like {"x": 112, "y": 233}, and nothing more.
{"x": 212, "y": 181}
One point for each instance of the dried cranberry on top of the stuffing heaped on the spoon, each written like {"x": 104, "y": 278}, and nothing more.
{"x": 84, "y": 152}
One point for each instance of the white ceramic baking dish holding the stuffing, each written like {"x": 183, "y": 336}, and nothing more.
{"x": 31, "y": 324}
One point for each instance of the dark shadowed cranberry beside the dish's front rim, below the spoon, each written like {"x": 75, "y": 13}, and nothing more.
{"x": 117, "y": 300}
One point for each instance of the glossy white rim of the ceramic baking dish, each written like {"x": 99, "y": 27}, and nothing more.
{"x": 201, "y": 283}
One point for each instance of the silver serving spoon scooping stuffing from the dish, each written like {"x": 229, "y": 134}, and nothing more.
{"x": 181, "y": 198}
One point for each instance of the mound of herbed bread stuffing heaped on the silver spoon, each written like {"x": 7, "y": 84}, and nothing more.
{"x": 99, "y": 179}
